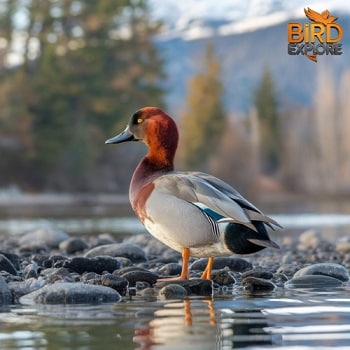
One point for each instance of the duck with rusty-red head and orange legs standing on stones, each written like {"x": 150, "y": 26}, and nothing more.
{"x": 194, "y": 213}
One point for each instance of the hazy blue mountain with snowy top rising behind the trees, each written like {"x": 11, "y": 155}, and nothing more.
{"x": 244, "y": 51}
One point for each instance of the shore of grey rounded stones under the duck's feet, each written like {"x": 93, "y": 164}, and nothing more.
{"x": 48, "y": 266}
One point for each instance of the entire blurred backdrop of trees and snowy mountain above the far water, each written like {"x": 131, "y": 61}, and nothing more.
{"x": 72, "y": 72}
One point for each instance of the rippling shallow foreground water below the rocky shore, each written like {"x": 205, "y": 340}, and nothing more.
{"x": 303, "y": 320}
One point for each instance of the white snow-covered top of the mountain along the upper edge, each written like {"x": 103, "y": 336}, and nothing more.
{"x": 196, "y": 19}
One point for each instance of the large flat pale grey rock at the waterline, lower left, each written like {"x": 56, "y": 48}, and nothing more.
{"x": 71, "y": 293}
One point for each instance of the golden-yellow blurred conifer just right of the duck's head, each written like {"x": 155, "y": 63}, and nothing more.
{"x": 203, "y": 121}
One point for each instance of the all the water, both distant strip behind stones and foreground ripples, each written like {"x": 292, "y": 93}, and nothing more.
{"x": 286, "y": 319}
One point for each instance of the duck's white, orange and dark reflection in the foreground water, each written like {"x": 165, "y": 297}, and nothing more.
{"x": 197, "y": 324}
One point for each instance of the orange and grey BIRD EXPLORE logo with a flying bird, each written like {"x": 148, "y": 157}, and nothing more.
{"x": 319, "y": 37}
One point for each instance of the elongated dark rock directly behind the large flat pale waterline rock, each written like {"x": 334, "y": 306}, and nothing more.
{"x": 97, "y": 264}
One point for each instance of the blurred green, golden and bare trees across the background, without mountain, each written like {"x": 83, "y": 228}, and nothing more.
{"x": 72, "y": 72}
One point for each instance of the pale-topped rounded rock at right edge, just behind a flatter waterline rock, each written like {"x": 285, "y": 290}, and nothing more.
{"x": 328, "y": 269}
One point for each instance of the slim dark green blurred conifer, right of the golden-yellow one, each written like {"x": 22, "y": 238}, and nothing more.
{"x": 266, "y": 105}
